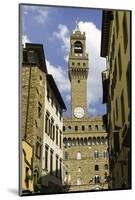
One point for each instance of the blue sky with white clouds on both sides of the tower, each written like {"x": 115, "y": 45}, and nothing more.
{"x": 52, "y": 27}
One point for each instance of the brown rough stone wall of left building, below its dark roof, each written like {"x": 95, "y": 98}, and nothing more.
{"x": 32, "y": 110}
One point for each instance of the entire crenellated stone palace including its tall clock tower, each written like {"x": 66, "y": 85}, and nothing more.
{"x": 86, "y": 165}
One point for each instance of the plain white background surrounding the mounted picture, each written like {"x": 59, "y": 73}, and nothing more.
{"x": 9, "y": 97}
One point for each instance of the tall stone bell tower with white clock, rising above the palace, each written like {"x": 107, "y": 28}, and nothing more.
{"x": 78, "y": 73}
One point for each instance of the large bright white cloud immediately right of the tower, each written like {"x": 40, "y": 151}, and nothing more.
{"x": 96, "y": 63}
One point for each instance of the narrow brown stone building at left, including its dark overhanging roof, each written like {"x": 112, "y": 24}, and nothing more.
{"x": 32, "y": 105}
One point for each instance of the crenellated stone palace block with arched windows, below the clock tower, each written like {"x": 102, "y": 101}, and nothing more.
{"x": 85, "y": 154}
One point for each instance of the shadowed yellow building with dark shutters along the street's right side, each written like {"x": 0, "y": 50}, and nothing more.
{"x": 115, "y": 46}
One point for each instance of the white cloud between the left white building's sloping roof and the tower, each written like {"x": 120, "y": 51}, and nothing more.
{"x": 61, "y": 78}
